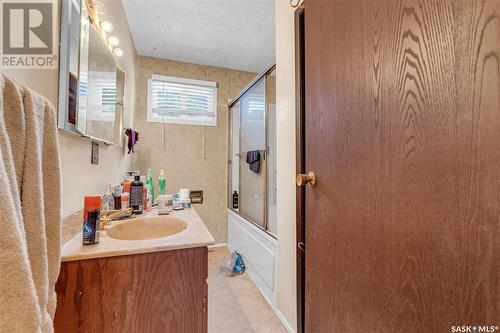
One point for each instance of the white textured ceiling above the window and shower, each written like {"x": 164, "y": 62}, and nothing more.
{"x": 236, "y": 34}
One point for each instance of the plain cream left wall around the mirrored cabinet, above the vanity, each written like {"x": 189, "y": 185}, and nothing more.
{"x": 79, "y": 176}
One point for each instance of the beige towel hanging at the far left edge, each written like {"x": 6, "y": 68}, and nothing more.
{"x": 32, "y": 216}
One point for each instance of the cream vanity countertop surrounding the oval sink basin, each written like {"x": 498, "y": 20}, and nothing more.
{"x": 195, "y": 235}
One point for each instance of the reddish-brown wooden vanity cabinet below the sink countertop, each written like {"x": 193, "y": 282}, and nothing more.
{"x": 151, "y": 292}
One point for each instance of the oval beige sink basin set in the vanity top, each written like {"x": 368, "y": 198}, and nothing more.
{"x": 142, "y": 228}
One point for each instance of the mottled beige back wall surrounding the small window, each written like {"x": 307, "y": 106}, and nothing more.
{"x": 182, "y": 155}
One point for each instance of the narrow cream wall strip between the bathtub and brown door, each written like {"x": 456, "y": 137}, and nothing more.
{"x": 285, "y": 142}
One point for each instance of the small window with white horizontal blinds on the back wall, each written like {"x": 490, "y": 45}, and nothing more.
{"x": 175, "y": 100}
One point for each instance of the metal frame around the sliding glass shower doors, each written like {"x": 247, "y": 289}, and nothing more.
{"x": 234, "y": 101}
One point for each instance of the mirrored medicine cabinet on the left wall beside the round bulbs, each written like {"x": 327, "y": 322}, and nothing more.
{"x": 91, "y": 84}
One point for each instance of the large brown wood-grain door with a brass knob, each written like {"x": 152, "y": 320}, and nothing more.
{"x": 402, "y": 118}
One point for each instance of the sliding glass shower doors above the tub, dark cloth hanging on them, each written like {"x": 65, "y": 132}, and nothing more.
{"x": 249, "y": 153}
